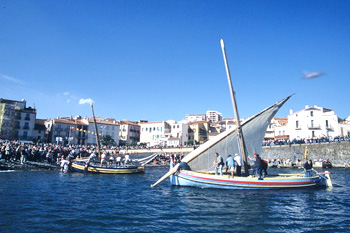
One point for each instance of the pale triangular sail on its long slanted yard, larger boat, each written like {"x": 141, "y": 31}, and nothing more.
{"x": 226, "y": 143}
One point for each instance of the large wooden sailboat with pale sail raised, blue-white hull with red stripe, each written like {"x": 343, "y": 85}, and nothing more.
{"x": 245, "y": 139}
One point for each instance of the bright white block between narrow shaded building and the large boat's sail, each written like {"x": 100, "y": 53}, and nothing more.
{"x": 155, "y": 133}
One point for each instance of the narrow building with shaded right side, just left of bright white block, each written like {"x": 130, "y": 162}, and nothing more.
{"x": 129, "y": 133}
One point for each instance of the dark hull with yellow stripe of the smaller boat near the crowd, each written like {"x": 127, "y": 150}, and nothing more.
{"x": 79, "y": 167}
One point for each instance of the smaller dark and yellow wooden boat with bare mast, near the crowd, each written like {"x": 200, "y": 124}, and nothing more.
{"x": 132, "y": 167}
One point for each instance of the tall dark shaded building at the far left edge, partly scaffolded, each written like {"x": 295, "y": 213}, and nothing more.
{"x": 17, "y": 121}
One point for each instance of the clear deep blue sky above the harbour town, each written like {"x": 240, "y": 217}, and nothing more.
{"x": 160, "y": 60}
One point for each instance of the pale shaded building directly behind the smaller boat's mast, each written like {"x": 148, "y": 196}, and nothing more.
{"x": 104, "y": 128}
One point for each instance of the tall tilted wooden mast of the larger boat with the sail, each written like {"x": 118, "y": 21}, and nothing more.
{"x": 238, "y": 124}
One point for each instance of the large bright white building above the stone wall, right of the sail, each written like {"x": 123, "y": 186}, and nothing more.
{"x": 313, "y": 122}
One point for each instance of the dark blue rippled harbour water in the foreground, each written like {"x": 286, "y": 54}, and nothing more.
{"x": 50, "y": 201}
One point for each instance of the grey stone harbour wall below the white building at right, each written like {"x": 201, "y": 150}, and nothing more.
{"x": 336, "y": 152}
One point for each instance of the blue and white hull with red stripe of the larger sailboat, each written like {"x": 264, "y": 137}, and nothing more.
{"x": 196, "y": 179}
